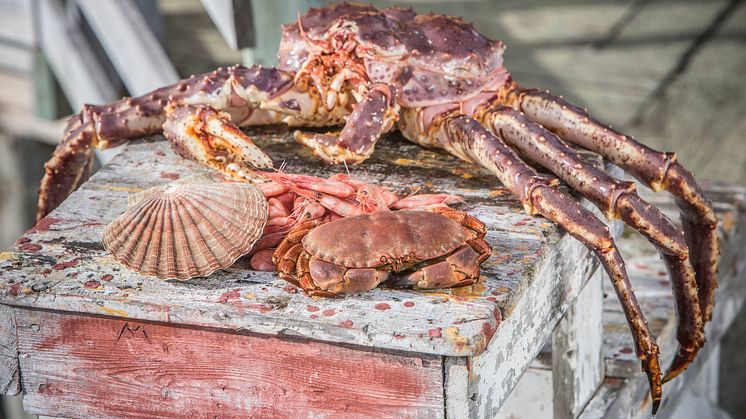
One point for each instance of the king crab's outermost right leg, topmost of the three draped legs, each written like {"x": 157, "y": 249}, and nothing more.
{"x": 656, "y": 169}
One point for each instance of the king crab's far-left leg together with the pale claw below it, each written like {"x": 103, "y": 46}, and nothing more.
{"x": 250, "y": 95}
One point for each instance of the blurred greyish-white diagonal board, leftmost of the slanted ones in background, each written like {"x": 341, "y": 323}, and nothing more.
{"x": 74, "y": 63}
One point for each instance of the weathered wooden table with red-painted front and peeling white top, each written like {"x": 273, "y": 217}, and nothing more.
{"x": 84, "y": 337}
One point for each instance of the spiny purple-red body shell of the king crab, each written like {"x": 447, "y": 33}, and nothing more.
{"x": 430, "y": 59}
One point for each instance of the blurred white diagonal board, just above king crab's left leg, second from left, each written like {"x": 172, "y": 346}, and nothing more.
{"x": 130, "y": 44}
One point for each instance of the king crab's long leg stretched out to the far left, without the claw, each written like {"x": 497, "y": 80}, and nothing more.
{"x": 238, "y": 90}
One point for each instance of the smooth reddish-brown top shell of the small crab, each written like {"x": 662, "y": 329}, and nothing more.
{"x": 377, "y": 239}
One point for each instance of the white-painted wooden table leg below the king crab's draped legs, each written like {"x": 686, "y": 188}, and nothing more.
{"x": 577, "y": 356}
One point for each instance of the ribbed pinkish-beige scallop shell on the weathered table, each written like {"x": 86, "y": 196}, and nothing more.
{"x": 190, "y": 227}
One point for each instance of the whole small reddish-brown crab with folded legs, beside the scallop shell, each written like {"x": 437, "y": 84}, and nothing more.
{"x": 417, "y": 249}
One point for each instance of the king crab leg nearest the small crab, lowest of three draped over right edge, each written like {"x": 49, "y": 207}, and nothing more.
{"x": 467, "y": 139}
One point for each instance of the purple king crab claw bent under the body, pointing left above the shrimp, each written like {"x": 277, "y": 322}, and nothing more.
{"x": 371, "y": 117}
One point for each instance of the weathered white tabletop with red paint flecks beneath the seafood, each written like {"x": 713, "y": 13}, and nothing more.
{"x": 60, "y": 264}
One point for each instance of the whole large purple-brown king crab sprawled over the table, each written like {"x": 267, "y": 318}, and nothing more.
{"x": 443, "y": 85}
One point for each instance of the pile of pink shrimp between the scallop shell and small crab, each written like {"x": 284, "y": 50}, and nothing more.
{"x": 296, "y": 198}
